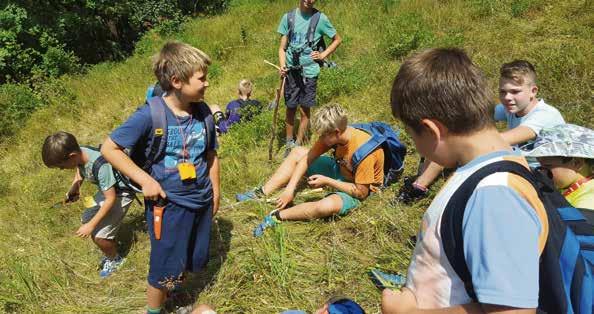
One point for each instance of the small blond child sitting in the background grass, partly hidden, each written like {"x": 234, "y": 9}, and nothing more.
{"x": 242, "y": 109}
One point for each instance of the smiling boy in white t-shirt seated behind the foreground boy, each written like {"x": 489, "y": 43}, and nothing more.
{"x": 525, "y": 115}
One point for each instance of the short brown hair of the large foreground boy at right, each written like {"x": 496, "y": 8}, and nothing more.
{"x": 442, "y": 84}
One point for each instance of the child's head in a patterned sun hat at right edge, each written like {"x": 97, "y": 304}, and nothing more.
{"x": 565, "y": 153}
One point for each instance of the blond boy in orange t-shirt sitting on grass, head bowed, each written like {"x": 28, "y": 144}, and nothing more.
{"x": 331, "y": 124}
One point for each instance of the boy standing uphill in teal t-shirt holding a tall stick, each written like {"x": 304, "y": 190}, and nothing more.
{"x": 300, "y": 53}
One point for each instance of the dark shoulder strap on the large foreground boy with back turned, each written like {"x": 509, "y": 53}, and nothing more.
{"x": 453, "y": 215}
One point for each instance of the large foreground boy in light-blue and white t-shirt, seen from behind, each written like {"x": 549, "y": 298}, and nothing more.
{"x": 502, "y": 235}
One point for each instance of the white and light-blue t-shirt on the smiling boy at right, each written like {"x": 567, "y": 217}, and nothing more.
{"x": 542, "y": 116}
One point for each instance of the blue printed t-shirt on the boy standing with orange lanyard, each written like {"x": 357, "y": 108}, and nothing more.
{"x": 193, "y": 194}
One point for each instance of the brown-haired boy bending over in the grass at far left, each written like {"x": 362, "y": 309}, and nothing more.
{"x": 105, "y": 211}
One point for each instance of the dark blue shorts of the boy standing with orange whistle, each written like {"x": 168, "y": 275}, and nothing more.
{"x": 184, "y": 243}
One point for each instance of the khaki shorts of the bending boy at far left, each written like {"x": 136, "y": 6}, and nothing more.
{"x": 109, "y": 225}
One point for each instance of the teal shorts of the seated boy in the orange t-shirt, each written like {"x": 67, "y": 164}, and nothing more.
{"x": 327, "y": 166}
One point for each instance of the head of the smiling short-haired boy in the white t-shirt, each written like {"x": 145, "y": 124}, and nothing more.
{"x": 517, "y": 86}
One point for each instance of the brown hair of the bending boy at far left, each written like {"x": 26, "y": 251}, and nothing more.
{"x": 58, "y": 147}
